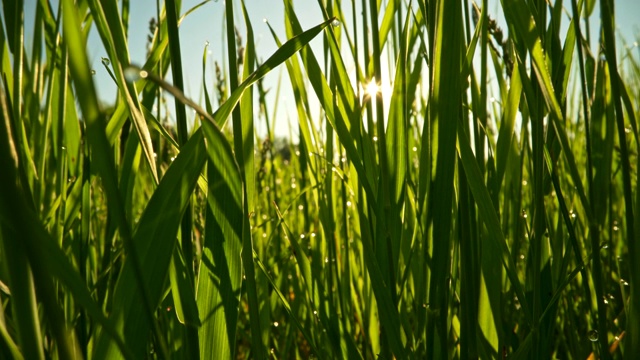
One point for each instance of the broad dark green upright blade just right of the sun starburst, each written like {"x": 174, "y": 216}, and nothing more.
{"x": 445, "y": 110}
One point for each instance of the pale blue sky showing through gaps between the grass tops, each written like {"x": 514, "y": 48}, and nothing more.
{"x": 205, "y": 25}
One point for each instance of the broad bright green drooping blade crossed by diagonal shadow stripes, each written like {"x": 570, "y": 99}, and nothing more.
{"x": 220, "y": 276}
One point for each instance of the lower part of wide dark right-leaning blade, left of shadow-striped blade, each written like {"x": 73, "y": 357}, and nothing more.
{"x": 154, "y": 239}
